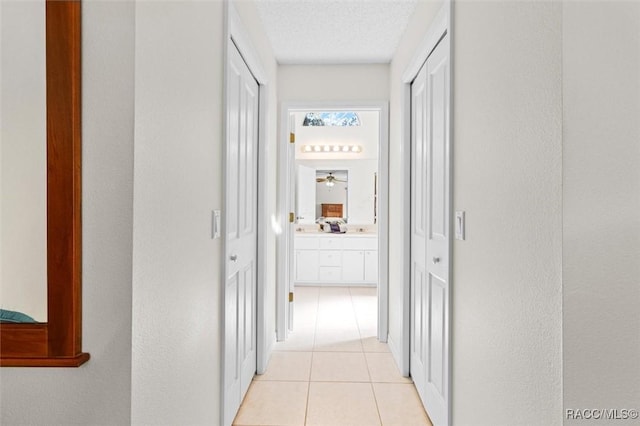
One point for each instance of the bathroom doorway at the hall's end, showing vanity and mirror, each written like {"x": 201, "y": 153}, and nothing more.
{"x": 333, "y": 180}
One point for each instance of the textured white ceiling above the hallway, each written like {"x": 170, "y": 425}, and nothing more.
{"x": 334, "y": 31}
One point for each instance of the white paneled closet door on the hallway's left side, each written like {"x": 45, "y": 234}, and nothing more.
{"x": 241, "y": 233}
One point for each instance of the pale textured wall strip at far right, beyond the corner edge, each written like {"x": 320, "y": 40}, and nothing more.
{"x": 601, "y": 224}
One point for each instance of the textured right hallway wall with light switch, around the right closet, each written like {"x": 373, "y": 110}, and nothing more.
{"x": 506, "y": 286}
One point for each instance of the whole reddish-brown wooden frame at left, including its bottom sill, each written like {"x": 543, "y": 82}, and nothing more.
{"x": 58, "y": 341}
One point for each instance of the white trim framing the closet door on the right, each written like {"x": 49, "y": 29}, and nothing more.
{"x": 441, "y": 25}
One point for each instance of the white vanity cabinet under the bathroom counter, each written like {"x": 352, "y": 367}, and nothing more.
{"x": 336, "y": 259}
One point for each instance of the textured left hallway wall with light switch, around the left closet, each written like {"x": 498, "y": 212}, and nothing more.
{"x": 178, "y": 182}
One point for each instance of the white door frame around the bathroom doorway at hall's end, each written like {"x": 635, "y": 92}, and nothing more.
{"x": 285, "y": 241}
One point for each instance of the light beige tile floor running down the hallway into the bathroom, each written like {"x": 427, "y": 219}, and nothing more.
{"x": 332, "y": 370}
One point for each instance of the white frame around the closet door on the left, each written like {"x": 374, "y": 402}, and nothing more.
{"x": 236, "y": 34}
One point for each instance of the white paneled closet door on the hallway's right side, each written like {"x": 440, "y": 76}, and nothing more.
{"x": 430, "y": 237}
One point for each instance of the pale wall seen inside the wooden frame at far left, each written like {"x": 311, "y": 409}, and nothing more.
{"x": 23, "y": 165}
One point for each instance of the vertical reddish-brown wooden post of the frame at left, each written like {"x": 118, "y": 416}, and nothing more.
{"x": 63, "y": 176}
